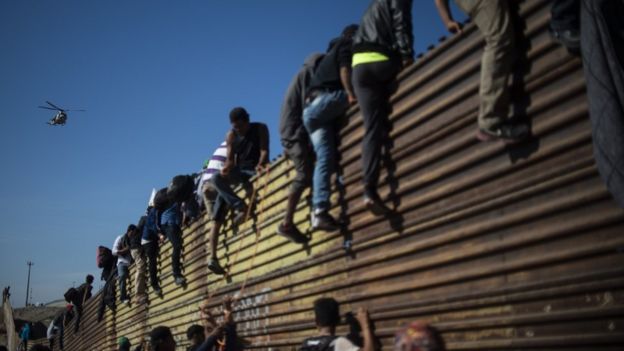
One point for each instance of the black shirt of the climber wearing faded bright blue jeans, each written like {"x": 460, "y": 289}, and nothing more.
{"x": 327, "y": 75}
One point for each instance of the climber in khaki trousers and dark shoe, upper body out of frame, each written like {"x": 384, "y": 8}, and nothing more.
{"x": 493, "y": 19}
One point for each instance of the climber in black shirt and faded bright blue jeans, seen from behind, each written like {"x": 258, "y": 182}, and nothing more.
{"x": 328, "y": 98}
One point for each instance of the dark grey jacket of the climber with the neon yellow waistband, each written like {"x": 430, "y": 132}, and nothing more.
{"x": 386, "y": 28}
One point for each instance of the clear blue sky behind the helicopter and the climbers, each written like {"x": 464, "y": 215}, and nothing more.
{"x": 157, "y": 79}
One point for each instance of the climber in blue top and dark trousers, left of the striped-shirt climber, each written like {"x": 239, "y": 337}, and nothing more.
{"x": 171, "y": 220}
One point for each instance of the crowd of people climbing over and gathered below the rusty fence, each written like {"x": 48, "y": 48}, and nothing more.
{"x": 360, "y": 67}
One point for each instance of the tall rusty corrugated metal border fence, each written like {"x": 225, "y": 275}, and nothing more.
{"x": 499, "y": 247}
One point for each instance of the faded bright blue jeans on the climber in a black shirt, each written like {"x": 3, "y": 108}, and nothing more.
{"x": 319, "y": 117}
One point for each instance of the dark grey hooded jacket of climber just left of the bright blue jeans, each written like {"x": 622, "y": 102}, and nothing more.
{"x": 291, "y": 116}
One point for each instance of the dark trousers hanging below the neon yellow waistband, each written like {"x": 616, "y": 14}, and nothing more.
{"x": 374, "y": 83}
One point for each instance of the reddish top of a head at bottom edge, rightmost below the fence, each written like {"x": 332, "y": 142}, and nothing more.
{"x": 418, "y": 336}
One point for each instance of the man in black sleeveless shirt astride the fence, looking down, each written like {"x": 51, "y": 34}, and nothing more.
{"x": 247, "y": 153}
